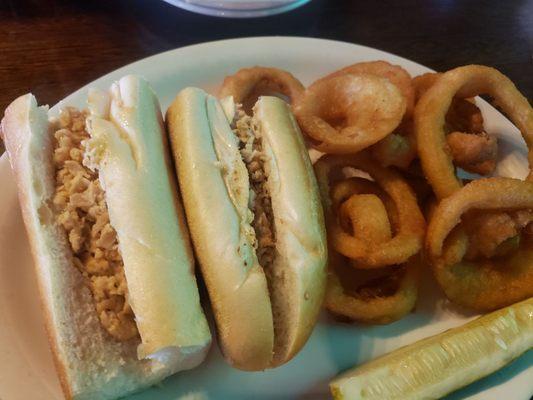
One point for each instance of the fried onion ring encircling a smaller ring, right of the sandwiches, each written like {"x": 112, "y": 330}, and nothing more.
{"x": 409, "y": 234}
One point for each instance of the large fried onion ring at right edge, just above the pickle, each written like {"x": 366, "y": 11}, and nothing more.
{"x": 486, "y": 283}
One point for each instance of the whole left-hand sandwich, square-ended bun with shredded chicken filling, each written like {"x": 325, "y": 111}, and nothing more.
{"x": 109, "y": 240}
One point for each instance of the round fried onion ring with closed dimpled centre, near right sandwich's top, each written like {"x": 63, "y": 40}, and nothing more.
{"x": 347, "y": 113}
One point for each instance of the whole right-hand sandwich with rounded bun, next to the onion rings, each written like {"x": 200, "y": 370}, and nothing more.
{"x": 253, "y": 208}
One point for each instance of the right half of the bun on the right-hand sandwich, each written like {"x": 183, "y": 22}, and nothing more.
{"x": 298, "y": 276}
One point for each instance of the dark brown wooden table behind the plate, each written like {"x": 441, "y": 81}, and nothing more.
{"x": 53, "y": 47}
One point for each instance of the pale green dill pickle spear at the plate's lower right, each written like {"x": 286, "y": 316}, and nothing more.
{"x": 438, "y": 365}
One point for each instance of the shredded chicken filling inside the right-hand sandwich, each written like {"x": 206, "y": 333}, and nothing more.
{"x": 251, "y": 148}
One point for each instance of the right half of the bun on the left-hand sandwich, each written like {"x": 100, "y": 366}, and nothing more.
{"x": 131, "y": 155}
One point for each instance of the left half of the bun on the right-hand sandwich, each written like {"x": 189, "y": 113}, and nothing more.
{"x": 238, "y": 292}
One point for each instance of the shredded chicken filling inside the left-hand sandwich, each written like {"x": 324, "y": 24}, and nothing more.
{"x": 82, "y": 211}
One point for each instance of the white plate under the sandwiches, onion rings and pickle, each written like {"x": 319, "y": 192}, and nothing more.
{"x": 26, "y": 369}
